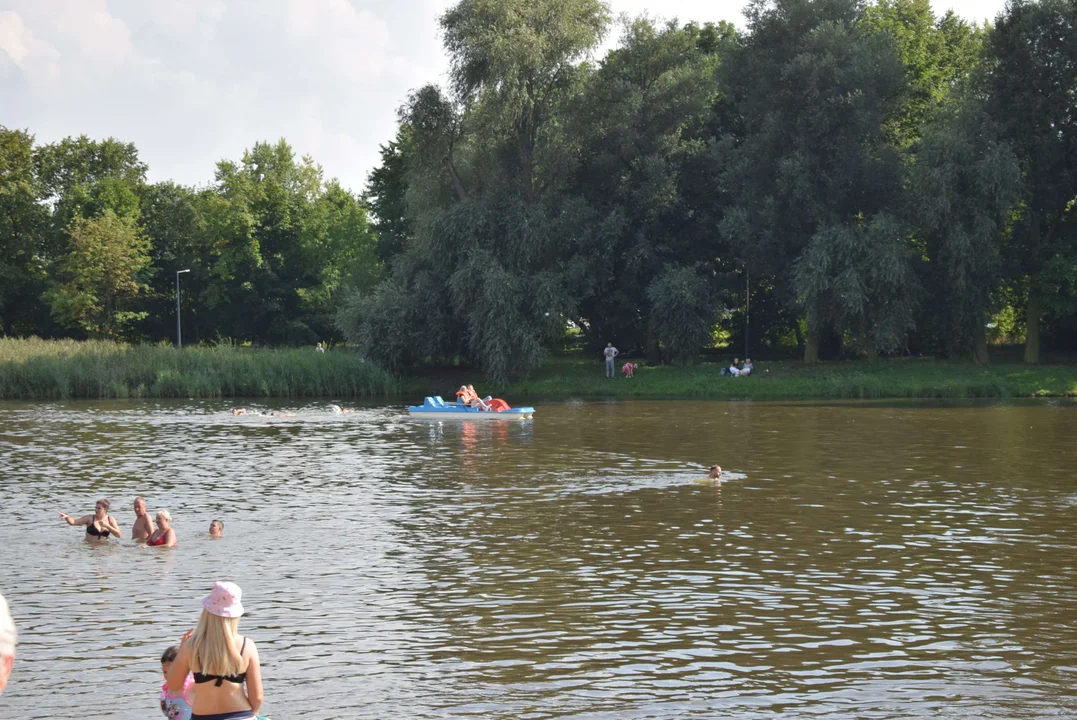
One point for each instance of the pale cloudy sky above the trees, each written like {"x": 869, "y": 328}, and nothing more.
{"x": 192, "y": 82}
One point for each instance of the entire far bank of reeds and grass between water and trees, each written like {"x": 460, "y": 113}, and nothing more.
{"x": 64, "y": 370}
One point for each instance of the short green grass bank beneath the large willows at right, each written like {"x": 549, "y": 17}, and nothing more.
{"x": 790, "y": 380}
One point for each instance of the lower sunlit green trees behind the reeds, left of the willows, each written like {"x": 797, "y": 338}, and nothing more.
{"x": 89, "y": 249}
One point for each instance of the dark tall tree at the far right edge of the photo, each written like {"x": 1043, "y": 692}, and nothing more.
{"x": 1032, "y": 82}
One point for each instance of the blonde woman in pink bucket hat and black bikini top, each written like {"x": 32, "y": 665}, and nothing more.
{"x": 228, "y": 675}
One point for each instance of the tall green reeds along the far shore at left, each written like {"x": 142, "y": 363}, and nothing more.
{"x": 40, "y": 370}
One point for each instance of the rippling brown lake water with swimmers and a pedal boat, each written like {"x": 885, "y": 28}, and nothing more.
{"x": 861, "y": 561}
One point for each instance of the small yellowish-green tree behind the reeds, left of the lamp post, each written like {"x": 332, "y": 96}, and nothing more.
{"x": 100, "y": 278}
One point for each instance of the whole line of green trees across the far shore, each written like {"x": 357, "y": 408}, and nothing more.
{"x": 870, "y": 178}
